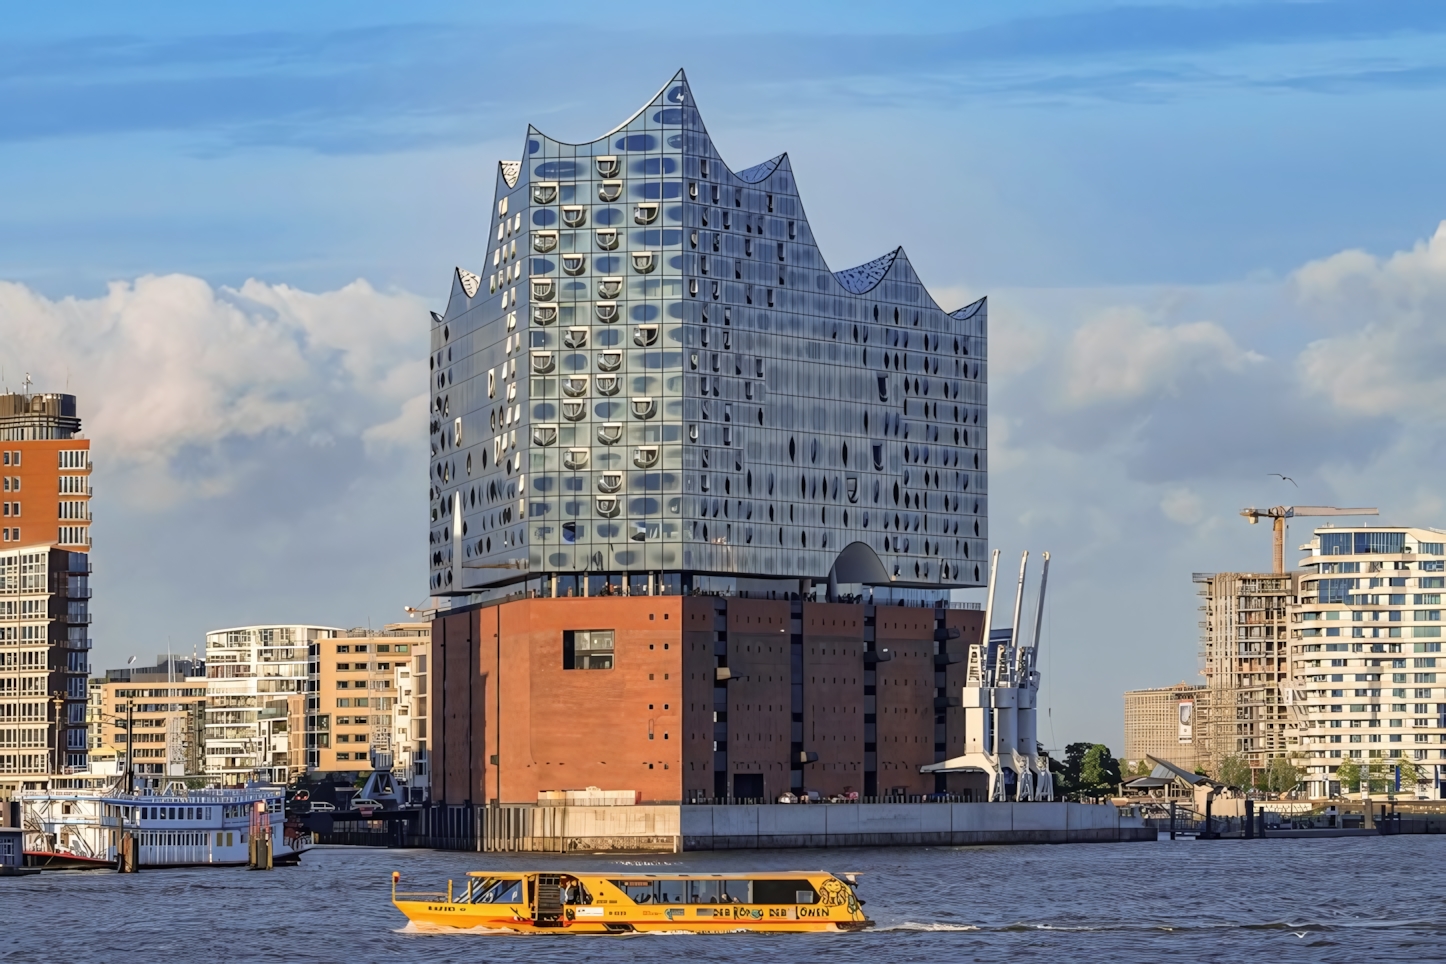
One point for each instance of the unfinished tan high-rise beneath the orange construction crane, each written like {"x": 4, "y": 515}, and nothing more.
{"x": 1246, "y": 664}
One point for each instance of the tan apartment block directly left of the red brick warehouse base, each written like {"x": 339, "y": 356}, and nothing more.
{"x": 367, "y": 696}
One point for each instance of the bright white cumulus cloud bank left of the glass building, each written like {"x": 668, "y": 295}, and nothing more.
{"x": 168, "y": 366}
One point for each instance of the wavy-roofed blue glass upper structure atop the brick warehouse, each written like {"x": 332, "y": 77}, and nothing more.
{"x": 656, "y": 384}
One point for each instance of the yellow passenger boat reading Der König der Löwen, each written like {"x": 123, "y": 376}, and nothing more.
{"x": 627, "y": 903}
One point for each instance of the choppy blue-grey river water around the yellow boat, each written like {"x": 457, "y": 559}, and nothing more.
{"x": 1347, "y": 900}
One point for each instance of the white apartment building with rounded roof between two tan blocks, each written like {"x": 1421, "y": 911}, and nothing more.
{"x": 260, "y": 681}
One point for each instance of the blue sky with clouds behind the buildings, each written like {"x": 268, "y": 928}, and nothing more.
{"x": 1160, "y": 199}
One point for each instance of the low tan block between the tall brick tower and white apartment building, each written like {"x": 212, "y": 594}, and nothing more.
{"x": 150, "y": 720}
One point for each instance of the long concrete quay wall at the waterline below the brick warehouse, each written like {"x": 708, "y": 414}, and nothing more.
{"x": 669, "y": 829}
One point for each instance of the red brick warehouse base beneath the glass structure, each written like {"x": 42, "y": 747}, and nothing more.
{"x": 705, "y": 697}
